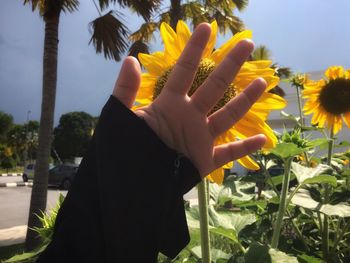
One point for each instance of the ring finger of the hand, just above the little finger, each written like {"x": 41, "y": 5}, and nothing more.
{"x": 234, "y": 110}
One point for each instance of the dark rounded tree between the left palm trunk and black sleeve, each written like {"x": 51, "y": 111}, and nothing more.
{"x": 73, "y": 134}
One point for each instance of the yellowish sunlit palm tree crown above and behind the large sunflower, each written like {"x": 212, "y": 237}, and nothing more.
{"x": 194, "y": 11}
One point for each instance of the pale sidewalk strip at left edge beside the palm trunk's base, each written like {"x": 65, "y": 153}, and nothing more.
{"x": 13, "y": 235}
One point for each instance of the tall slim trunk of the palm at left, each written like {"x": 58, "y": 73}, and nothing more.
{"x": 39, "y": 190}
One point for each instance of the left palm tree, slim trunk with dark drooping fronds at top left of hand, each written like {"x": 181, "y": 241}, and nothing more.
{"x": 109, "y": 37}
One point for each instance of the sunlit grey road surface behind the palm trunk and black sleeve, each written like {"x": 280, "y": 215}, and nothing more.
{"x": 14, "y": 202}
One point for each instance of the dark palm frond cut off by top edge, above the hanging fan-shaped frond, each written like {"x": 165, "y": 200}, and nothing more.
{"x": 145, "y": 8}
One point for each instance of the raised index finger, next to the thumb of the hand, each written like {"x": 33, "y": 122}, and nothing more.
{"x": 184, "y": 71}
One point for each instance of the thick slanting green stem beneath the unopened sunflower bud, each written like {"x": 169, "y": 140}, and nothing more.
{"x": 283, "y": 203}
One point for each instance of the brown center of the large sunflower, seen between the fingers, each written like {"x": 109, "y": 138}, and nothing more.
{"x": 206, "y": 66}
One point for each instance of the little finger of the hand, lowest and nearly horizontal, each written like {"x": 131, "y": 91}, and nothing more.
{"x": 232, "y": 151}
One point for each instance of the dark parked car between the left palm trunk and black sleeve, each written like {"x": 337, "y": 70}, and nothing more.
{"x": 63, "y": 175}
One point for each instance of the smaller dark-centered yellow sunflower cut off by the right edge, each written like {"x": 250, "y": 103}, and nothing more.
{"x": 329, "y": 99}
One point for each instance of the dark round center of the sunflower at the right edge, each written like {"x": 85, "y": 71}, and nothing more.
{"x": 335, "y": 96}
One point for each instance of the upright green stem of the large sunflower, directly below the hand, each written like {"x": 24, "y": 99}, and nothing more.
{"x": 204, "y": 221}
